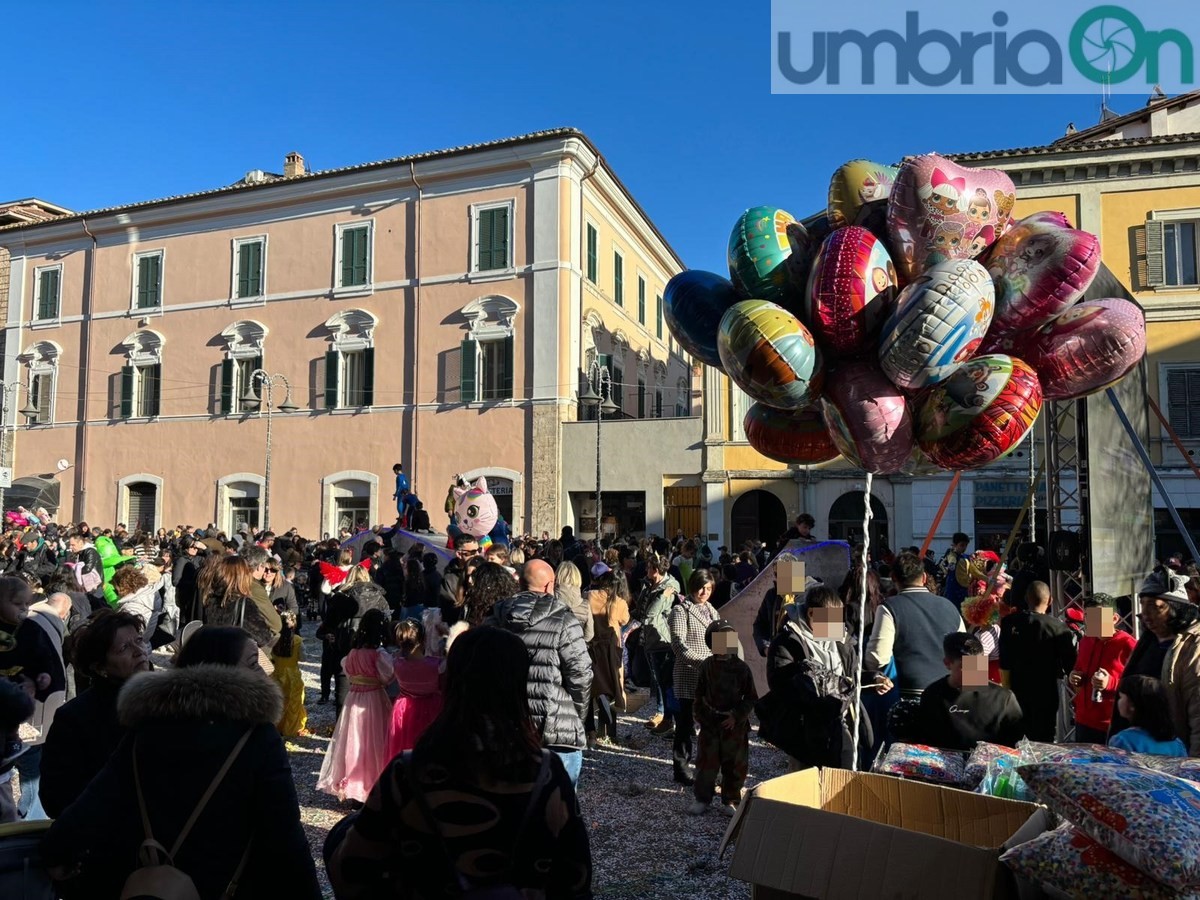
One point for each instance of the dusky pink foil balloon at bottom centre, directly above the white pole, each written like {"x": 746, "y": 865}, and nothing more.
{"x": 868, "y": 418}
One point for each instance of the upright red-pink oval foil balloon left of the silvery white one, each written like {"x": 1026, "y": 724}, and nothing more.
{"x": 850, "y": 291}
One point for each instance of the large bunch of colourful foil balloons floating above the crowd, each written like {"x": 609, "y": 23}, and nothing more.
{"x": 914, "y": 327}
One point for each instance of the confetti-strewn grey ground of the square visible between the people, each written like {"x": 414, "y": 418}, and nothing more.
{"x": 644, "y": 843}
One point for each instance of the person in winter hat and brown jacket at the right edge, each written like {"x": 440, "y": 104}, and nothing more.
{"x": 1169, "y": 650}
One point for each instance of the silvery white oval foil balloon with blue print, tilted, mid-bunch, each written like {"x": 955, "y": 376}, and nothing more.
{"x": 939, "y": 322}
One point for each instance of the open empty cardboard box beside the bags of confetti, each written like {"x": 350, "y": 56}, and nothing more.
{"x": 831, "y": 835}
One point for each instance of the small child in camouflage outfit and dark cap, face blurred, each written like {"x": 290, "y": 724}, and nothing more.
{"x": 725, "y": 698}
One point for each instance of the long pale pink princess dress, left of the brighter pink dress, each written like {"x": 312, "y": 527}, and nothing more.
{"x": 359, "y": 749}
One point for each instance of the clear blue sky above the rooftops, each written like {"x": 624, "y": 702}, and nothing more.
{"x": 117, "y": 103}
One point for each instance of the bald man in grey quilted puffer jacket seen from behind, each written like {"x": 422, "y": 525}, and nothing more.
{"x": 560, "y": 667}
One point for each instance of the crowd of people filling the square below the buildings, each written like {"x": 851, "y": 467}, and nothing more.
{"x": 482, "y": 682}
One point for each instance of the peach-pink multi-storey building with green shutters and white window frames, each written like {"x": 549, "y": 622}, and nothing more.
{"x": 434, "y": 310}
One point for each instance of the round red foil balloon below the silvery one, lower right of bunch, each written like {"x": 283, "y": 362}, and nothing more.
{"x": 980, "y": 413}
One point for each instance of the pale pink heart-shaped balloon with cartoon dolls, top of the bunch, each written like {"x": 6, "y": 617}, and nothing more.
{"x": 940, "y": 211}
